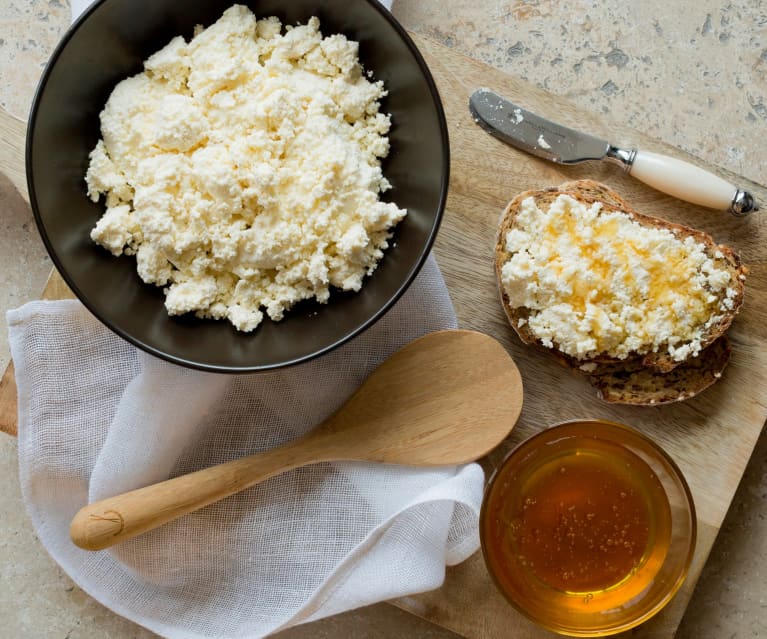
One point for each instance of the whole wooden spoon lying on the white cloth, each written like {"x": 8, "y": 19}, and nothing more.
{"x": 446, "y": 398}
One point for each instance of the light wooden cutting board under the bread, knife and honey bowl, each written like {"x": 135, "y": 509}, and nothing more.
{"x": 711, "y": 436}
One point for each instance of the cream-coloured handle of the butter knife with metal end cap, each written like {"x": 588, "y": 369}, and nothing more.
{"x": 690, "y": 183}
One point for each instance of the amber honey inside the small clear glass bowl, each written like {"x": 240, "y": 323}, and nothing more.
{"x": 576, "y": 523}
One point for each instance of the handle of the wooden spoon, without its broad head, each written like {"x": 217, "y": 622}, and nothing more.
{"x": 109, "y": 521}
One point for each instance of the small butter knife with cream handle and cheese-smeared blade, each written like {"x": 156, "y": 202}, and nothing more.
{"x": 551, "y": 141}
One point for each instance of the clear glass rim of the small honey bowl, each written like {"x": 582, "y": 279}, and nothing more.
{"x": 684, "y": 566}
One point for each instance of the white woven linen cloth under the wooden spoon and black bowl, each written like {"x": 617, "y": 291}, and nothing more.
{"x": 98, "y": 417}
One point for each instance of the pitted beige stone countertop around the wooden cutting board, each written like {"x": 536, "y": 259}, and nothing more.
{"x": 693, "y": 74}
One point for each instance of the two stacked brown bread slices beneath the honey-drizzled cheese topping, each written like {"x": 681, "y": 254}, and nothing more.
{"x": 649, "y": 379}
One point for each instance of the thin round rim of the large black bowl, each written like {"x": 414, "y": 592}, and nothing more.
{"x": 217, "y": 368}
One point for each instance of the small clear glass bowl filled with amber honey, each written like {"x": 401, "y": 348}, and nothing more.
{"x": 588, "y": 528}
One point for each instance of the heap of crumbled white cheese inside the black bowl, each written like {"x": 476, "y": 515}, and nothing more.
{"x": 243, "y": 169}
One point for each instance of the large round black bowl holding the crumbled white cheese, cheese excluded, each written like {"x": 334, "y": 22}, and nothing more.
{"x": 109, "y": 43}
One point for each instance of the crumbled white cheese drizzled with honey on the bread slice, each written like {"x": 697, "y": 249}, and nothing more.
{"x": 597, "y": 282}
